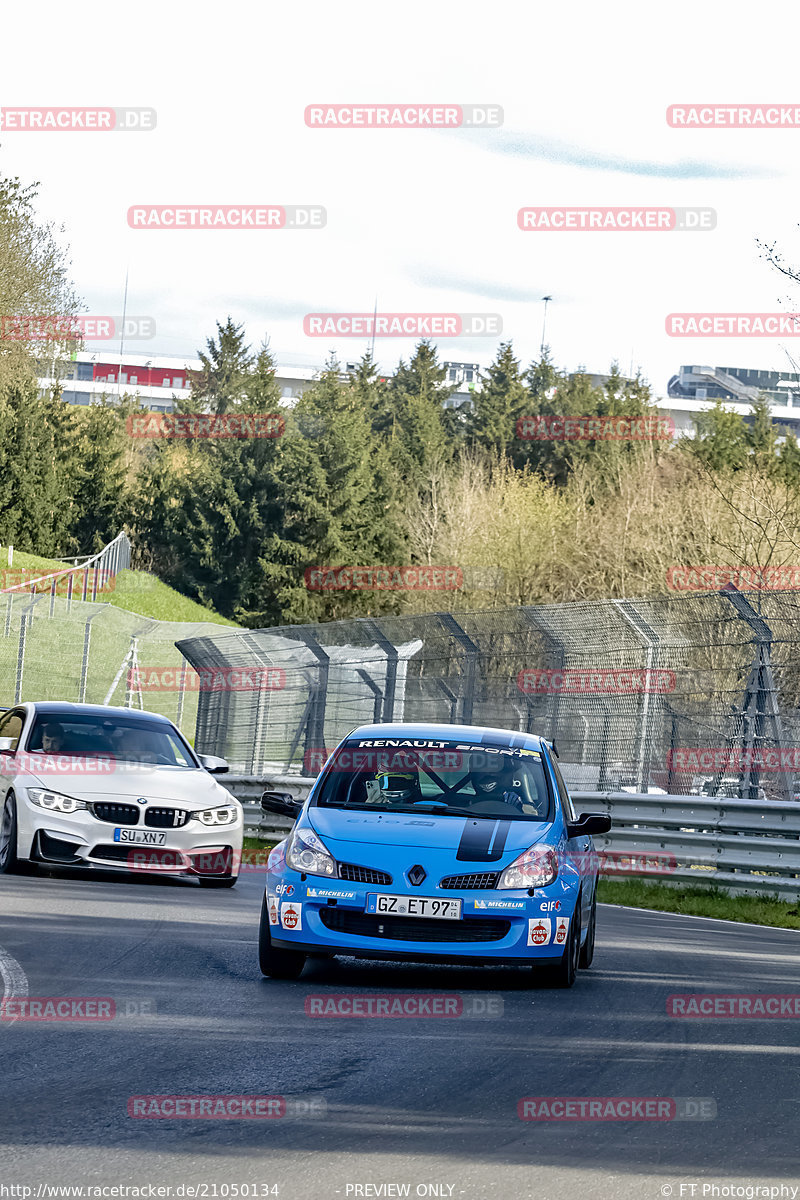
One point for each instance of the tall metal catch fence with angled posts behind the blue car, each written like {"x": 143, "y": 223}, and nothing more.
{"x": 678, "y": 694}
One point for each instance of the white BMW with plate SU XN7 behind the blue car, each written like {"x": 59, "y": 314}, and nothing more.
{"x": 113, "y": 789}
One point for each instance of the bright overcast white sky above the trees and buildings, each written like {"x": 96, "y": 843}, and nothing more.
{"x": 423, "y": 220}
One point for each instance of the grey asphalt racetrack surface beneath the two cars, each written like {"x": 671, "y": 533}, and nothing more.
{"x": 418, "y": 1107}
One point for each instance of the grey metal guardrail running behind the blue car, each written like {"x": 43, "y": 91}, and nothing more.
{"x": 737, "y": 845}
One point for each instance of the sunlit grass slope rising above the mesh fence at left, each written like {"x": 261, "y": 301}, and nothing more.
{"x": 133, "y": 591}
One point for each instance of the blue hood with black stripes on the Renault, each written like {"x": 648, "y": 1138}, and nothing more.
{"x": 472, "y": 839}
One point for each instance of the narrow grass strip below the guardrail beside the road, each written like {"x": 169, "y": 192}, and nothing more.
{"x": 702, "y": 902}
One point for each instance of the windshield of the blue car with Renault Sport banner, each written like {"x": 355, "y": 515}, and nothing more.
{"x": 446, "y": 781}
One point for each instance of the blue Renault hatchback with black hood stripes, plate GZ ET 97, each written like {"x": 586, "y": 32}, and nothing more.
{"x": 437, "y": 843}
